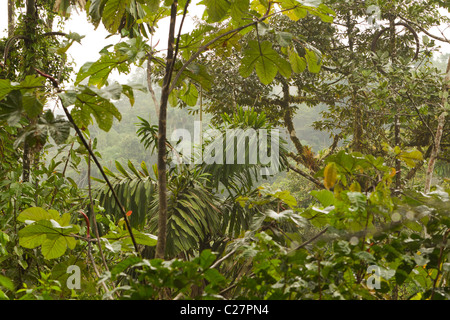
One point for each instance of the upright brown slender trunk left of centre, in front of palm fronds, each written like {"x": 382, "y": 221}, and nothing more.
{"x": 162, "y": 137}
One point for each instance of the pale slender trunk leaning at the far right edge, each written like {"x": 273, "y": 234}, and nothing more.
{"x": 439, "y": 131}
